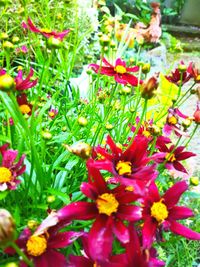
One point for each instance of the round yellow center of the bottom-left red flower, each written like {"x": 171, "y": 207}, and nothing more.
{"x": 36, "y": 245}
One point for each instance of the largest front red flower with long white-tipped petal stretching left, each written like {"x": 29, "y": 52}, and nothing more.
{"x": 109, "y": 207}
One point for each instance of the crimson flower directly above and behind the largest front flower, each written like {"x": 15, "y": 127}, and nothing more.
{"x": 129, "y": 167}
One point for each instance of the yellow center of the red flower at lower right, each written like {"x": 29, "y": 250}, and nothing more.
{"x": 159, "y": 211}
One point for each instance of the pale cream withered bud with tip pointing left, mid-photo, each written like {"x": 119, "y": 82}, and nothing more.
{"x": 81, "y": 150}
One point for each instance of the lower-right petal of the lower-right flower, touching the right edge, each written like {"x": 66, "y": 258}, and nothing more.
{"x": 182, "y": 230}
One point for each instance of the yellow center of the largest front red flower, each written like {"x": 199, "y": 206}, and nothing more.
{"x": 107, "y": 204}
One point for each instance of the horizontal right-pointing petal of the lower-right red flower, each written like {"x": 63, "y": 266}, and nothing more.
{"x": 180, "y": 213}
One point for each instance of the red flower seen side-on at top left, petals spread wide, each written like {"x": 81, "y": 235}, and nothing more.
{"x": 45, "y": 32}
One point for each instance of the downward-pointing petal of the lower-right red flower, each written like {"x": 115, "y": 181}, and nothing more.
{"x": 148, "y": 232}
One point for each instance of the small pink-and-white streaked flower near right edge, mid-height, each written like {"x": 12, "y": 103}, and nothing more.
{"x": 174, "y": 122}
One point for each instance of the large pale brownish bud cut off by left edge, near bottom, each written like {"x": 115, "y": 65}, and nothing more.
{"x": 7, "y": 227}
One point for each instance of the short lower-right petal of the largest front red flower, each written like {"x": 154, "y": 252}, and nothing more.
{"x": 121, "y": 231}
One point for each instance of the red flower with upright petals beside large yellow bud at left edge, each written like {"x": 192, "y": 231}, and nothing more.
{"x": 26, "y": 83}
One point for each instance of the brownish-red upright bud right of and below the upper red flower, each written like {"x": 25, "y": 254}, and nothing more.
{"x": 148, "y": 88}
